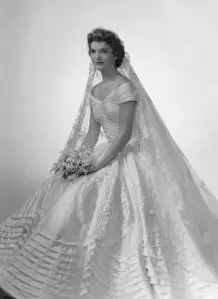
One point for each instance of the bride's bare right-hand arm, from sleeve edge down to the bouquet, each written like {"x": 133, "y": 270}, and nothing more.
{"x": 127, "y": 110}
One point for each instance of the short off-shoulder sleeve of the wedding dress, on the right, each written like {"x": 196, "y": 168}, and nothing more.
{"x": 126, "y": 94}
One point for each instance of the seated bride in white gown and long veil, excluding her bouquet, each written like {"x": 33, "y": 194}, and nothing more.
{"x": 139, "y": 224}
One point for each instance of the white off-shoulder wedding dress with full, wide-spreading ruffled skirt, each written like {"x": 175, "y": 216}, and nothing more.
{"x": 126, "y": 231}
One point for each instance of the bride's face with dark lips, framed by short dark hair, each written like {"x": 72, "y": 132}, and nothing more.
{"x": 101, "y": 55}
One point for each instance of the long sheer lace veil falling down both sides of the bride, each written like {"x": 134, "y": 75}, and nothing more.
{"x": 186, "y": 194}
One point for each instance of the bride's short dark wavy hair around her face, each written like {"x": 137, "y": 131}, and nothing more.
{"x": 112, "y": 39}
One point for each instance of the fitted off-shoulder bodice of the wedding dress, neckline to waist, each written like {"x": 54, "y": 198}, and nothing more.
{"x": 106, "y": 111}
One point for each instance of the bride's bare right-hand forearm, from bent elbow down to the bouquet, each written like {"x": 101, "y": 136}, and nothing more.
{"x": 113, "y": 150}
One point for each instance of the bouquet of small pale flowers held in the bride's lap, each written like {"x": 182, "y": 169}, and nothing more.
{"x": 73, "y": 163}
